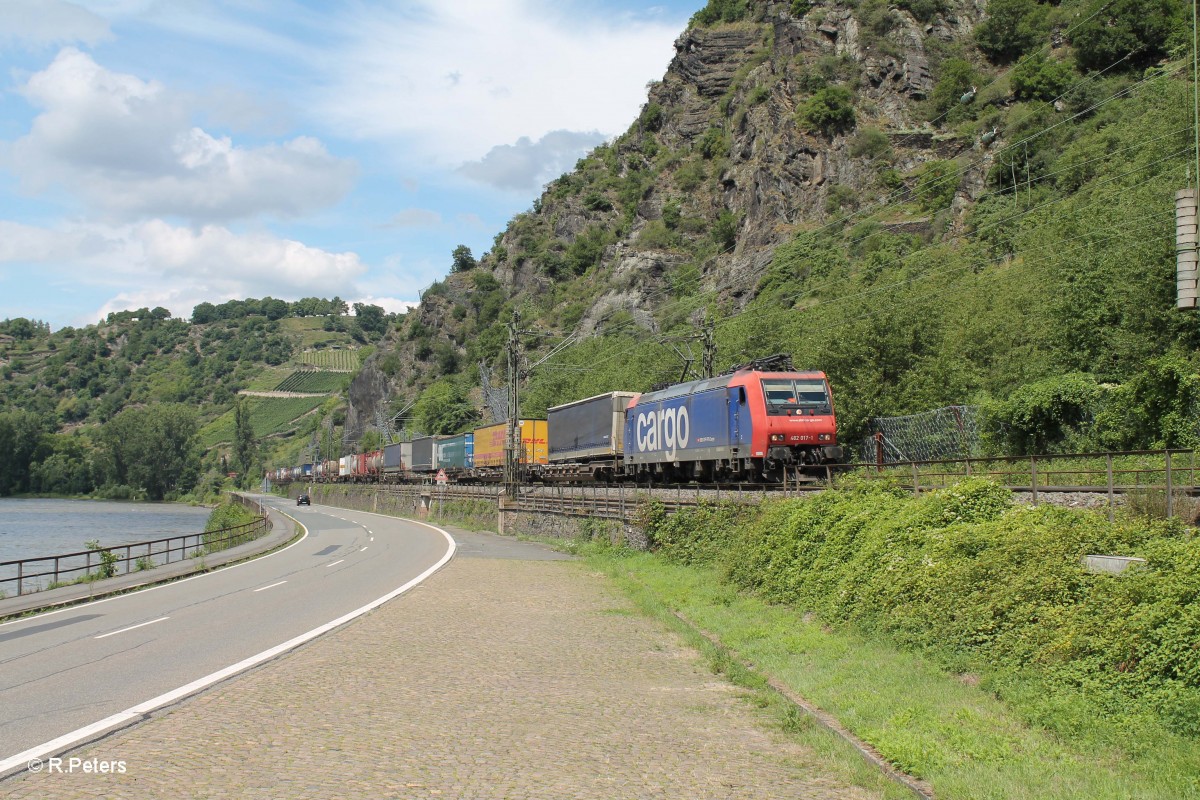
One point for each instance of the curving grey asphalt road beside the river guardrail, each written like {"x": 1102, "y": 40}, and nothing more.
{"x": 89, "y": 669}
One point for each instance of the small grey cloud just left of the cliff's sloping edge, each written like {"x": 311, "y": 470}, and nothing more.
{"x": 527, "y": 166}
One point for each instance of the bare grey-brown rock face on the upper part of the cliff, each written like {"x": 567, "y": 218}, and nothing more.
{"x": 721, "y": 142}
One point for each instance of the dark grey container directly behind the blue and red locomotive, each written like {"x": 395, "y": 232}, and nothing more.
{"x": 589, "y": 430}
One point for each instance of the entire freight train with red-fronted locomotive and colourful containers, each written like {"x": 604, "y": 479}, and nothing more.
{"x": 755, "y": 424}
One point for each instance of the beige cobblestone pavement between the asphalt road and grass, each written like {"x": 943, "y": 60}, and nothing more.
{"x": 494, "y": 679}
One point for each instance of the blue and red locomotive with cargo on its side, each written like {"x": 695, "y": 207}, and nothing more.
{"x": 751, "y": 425}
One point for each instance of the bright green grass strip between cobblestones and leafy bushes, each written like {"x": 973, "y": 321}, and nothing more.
{"x": 937, "y": 726}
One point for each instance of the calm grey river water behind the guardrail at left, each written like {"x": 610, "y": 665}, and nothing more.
{"x": 35, "y": 528}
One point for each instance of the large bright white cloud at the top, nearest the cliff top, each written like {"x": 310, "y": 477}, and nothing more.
{"x": 520, "y": 69}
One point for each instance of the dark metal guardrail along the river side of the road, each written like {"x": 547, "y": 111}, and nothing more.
{"x": 137, "y": 556}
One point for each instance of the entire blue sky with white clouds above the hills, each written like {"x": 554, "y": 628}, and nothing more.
{"x": 166, "y": 153}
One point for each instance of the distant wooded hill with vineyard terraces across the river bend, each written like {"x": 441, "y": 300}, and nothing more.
{"x": 143, "y": 405}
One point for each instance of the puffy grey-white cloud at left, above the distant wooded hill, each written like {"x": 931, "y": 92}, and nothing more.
{"x": 128, "y": 148}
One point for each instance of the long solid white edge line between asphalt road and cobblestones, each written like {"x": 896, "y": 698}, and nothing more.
{"x": 134, "y": 713}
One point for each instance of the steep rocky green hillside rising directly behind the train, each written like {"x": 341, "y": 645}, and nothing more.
{"x": 935, "y": 202}
